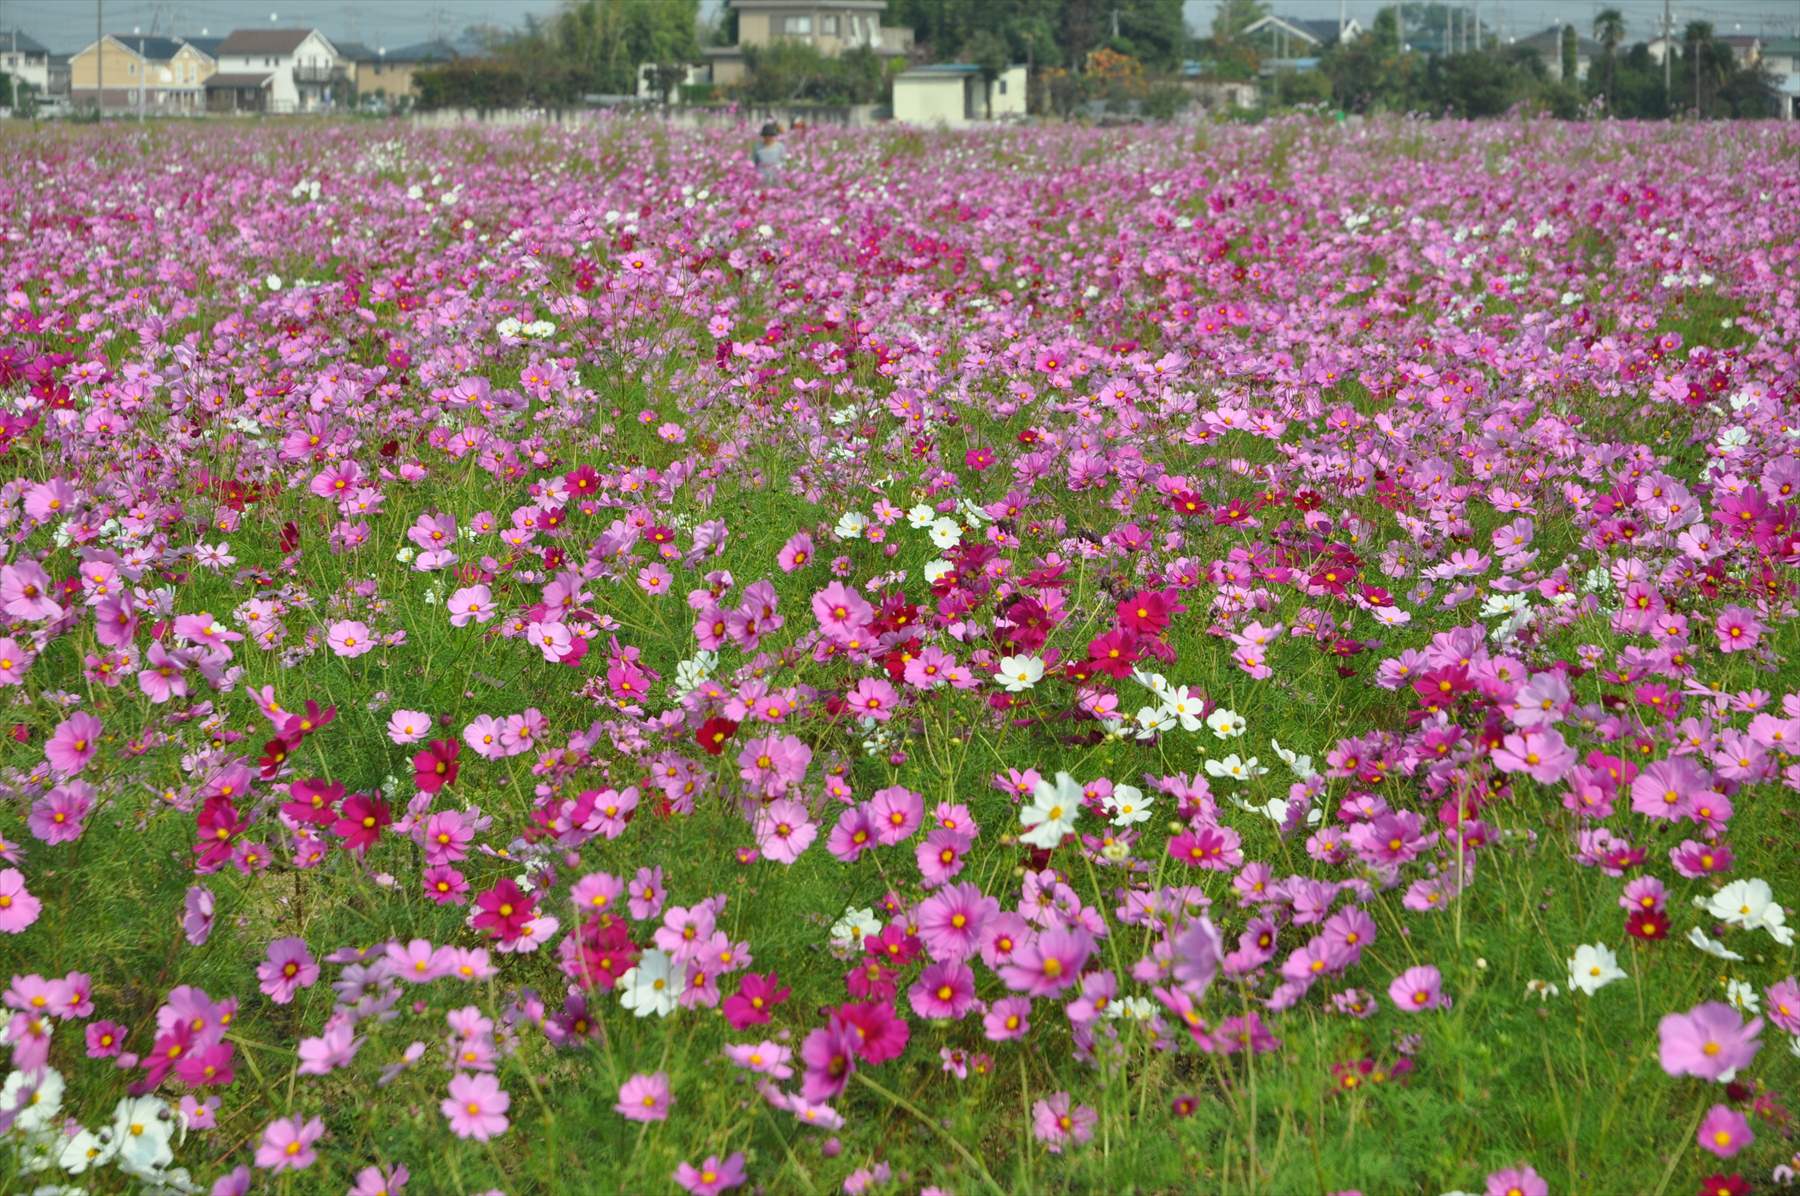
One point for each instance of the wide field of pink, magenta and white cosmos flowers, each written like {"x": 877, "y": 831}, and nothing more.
{"x": 1237, "y": 660}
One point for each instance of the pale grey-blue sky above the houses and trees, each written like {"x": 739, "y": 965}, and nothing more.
{"x": 69, "y": 24}
